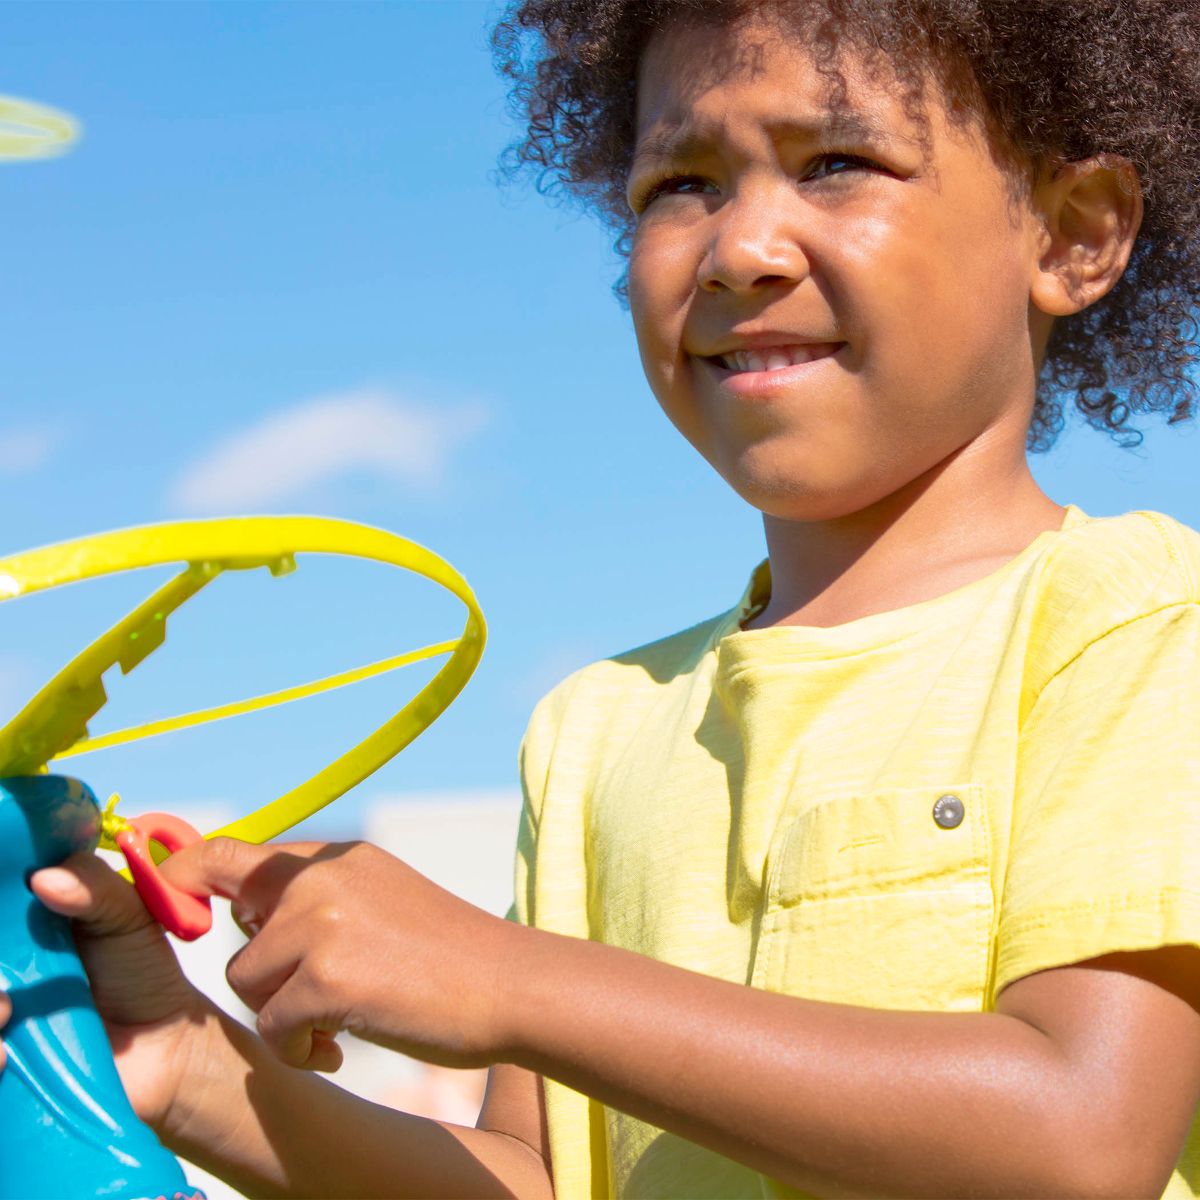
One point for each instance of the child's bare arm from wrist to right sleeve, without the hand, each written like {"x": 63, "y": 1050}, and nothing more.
{"x": 1083, "y": 1084}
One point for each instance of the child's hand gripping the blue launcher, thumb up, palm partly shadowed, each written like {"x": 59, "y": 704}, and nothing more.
{"x": 149, "y": 1009}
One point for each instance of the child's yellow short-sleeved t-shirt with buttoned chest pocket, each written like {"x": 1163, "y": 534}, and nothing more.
{"x": 907, "y": 812}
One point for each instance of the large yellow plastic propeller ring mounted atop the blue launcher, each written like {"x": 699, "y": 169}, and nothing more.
{"x": 55, "y": 724}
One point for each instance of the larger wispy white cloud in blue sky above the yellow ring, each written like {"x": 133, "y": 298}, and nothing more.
{"x": 370, "y": 430}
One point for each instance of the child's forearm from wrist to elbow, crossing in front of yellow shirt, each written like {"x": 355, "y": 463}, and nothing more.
{"x": 835, "y": 1100}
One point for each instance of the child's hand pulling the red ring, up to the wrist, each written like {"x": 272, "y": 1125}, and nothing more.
{"x": 345, "y": 937}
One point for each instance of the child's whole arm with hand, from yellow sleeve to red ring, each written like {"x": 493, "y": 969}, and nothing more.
{"x": 1083, "y": 1083}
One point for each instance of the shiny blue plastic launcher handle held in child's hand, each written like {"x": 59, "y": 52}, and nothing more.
{"x": 69, "y": 1130}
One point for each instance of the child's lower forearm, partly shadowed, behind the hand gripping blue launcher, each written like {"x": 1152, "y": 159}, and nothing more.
{"x": 273, "y": 1131}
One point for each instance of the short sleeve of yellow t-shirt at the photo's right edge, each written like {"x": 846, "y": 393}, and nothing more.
{"x": 1106, "y": 844}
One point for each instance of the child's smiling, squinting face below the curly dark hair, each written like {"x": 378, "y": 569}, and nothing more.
{"x": 752, "y": 244}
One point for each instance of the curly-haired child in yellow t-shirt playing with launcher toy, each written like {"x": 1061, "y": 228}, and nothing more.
{"x": 883, "y": 883}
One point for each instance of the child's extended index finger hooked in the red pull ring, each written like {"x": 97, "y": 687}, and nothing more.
{"x": 253, "y": 875}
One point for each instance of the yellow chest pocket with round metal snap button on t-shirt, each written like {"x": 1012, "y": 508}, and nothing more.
{"x": 883, "y": 901}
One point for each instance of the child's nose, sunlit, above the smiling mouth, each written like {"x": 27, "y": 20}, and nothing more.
{"x": 754, "y": 244}
